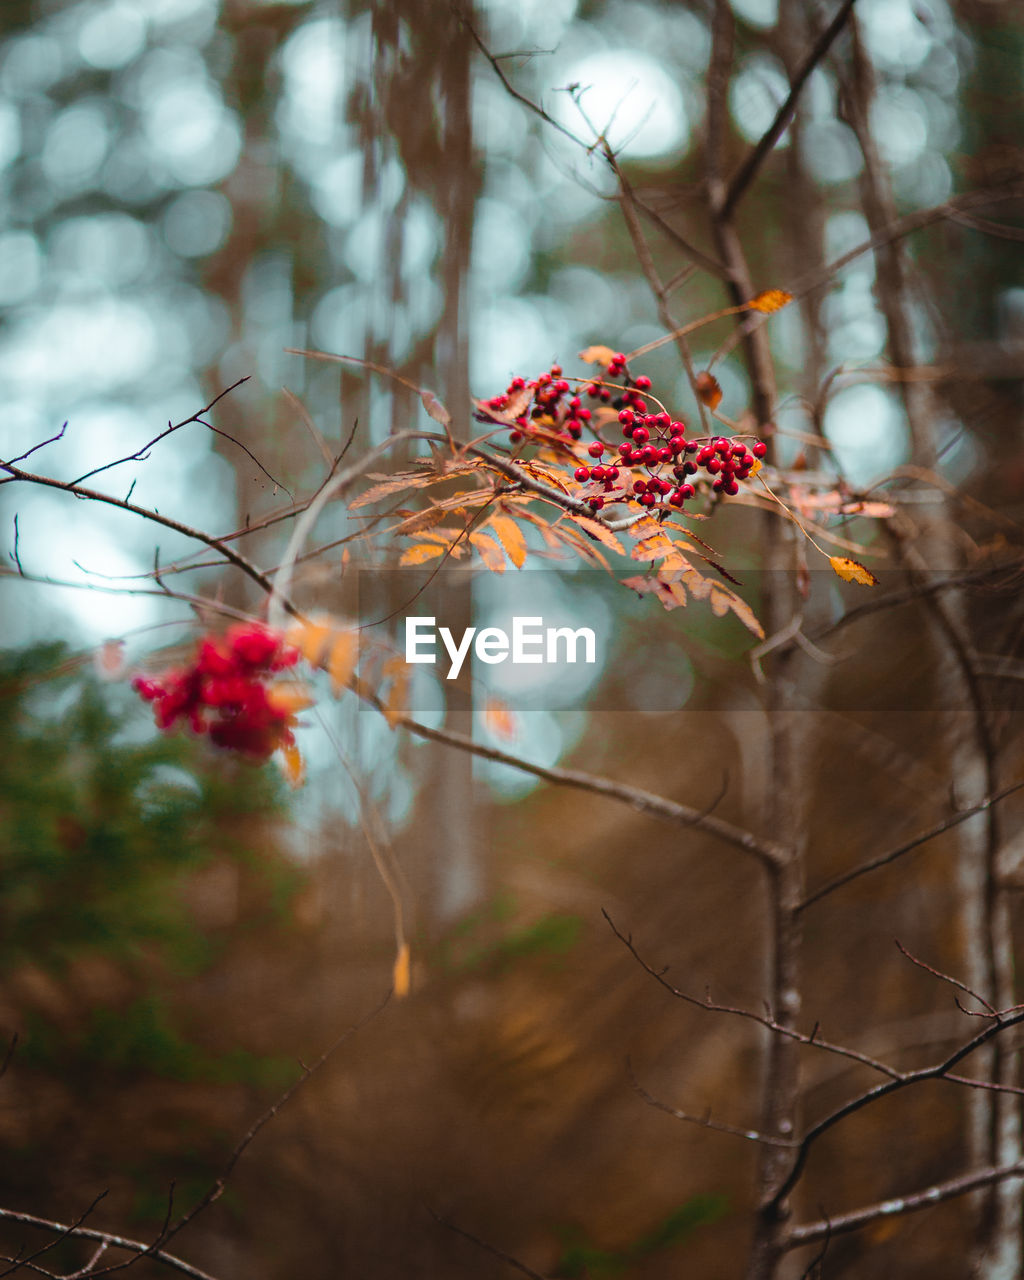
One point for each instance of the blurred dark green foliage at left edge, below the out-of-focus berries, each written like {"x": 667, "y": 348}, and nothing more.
{"x": 103, "y": 822}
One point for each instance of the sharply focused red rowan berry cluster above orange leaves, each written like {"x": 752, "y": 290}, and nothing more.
{"x": 656, "y": 444}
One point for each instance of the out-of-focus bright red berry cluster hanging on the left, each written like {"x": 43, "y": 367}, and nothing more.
{"x": 225, "y": 693}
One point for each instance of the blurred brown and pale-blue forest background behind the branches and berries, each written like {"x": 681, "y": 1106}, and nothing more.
{"x": 190, "y": 189}
